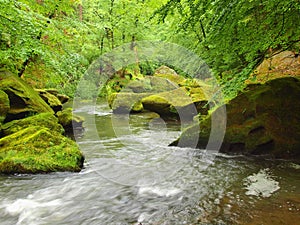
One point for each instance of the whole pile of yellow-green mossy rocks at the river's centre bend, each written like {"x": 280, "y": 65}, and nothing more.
{"x": 166, "y": 93}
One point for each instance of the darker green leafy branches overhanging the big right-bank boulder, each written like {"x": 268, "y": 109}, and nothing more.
{"x": 235, "y": 36}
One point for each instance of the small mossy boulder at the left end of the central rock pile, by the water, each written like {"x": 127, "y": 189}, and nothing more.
{"x": 125, "y": 102}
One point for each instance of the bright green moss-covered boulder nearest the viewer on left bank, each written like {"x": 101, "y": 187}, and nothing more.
{"x": 38, "y": 149}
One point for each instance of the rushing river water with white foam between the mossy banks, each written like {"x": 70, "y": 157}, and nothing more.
{"x": 132, "y": 177}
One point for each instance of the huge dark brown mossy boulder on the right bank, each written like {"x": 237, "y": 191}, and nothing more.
{"x": 261, "y": 120}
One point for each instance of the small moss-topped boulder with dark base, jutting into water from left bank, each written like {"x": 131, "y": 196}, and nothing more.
{"x": 69, "y": 121}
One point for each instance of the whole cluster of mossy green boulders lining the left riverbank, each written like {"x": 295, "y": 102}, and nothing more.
{"x": 33, "y": 128}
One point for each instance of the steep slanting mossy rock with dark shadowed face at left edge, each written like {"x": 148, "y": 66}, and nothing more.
{"x": 24, "y": 101}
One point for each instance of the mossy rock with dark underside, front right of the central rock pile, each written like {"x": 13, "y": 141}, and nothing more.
{"x": 175, "y": 103}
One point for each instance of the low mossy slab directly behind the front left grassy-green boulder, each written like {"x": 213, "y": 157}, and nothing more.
{"x": 46, "y": 120}
